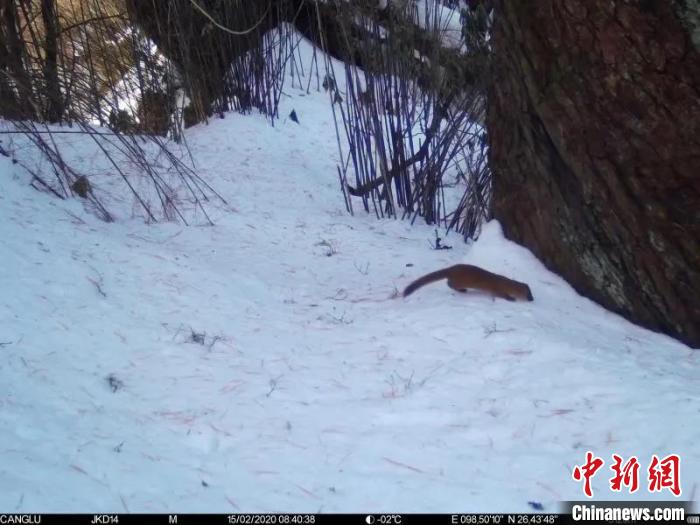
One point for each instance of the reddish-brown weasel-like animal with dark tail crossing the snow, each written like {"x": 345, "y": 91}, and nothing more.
{"x": 461, "y": 277}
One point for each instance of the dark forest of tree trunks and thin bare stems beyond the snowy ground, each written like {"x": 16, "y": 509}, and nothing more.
{"x": 574, "y": 123}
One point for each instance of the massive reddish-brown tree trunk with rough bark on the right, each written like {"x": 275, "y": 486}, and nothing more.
{"x": 594, "y": 123}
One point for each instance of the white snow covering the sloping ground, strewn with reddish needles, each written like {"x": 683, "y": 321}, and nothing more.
{"x": 265, "y": 363}
